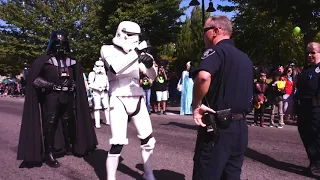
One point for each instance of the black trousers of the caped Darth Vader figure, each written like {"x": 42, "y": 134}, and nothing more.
{"x": 58, "y": 106}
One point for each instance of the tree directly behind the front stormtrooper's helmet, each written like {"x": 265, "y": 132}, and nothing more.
{"x": 157, "y": 18}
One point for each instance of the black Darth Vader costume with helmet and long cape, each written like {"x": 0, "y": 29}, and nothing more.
{"x": 56, "y": 112}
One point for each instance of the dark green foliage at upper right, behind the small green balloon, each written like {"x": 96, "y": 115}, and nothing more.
{"x": 263, "y": 29}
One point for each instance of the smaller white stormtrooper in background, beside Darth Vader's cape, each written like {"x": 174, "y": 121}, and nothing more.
{"x": 98, "y": 81}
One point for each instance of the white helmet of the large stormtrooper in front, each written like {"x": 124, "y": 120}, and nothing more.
{"x": 127, "y": 35}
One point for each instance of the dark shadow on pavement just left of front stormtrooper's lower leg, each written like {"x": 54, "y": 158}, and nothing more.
{"x": 97, "y": 159}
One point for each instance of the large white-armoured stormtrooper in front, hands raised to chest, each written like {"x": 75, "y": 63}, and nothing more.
{"x": 125, "y": 58}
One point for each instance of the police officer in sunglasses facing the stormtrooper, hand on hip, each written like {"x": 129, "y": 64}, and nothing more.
{"x": 223, "y": 80}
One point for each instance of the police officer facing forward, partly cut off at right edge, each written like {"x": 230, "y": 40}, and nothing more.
{"x": 308, "y": 95}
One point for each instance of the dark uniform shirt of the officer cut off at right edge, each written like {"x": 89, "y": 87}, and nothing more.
{"x": 308, "y": 84}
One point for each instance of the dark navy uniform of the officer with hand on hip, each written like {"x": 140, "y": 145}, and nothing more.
{"x": 224, "y": 158}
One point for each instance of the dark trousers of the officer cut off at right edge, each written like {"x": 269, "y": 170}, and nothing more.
{"x": 309, "y": 130}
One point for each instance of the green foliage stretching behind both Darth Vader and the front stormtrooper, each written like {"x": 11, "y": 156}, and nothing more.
{"x": 89, "y": 23}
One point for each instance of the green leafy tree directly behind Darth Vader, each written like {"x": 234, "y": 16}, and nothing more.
{"x": 28, "y": 26}
